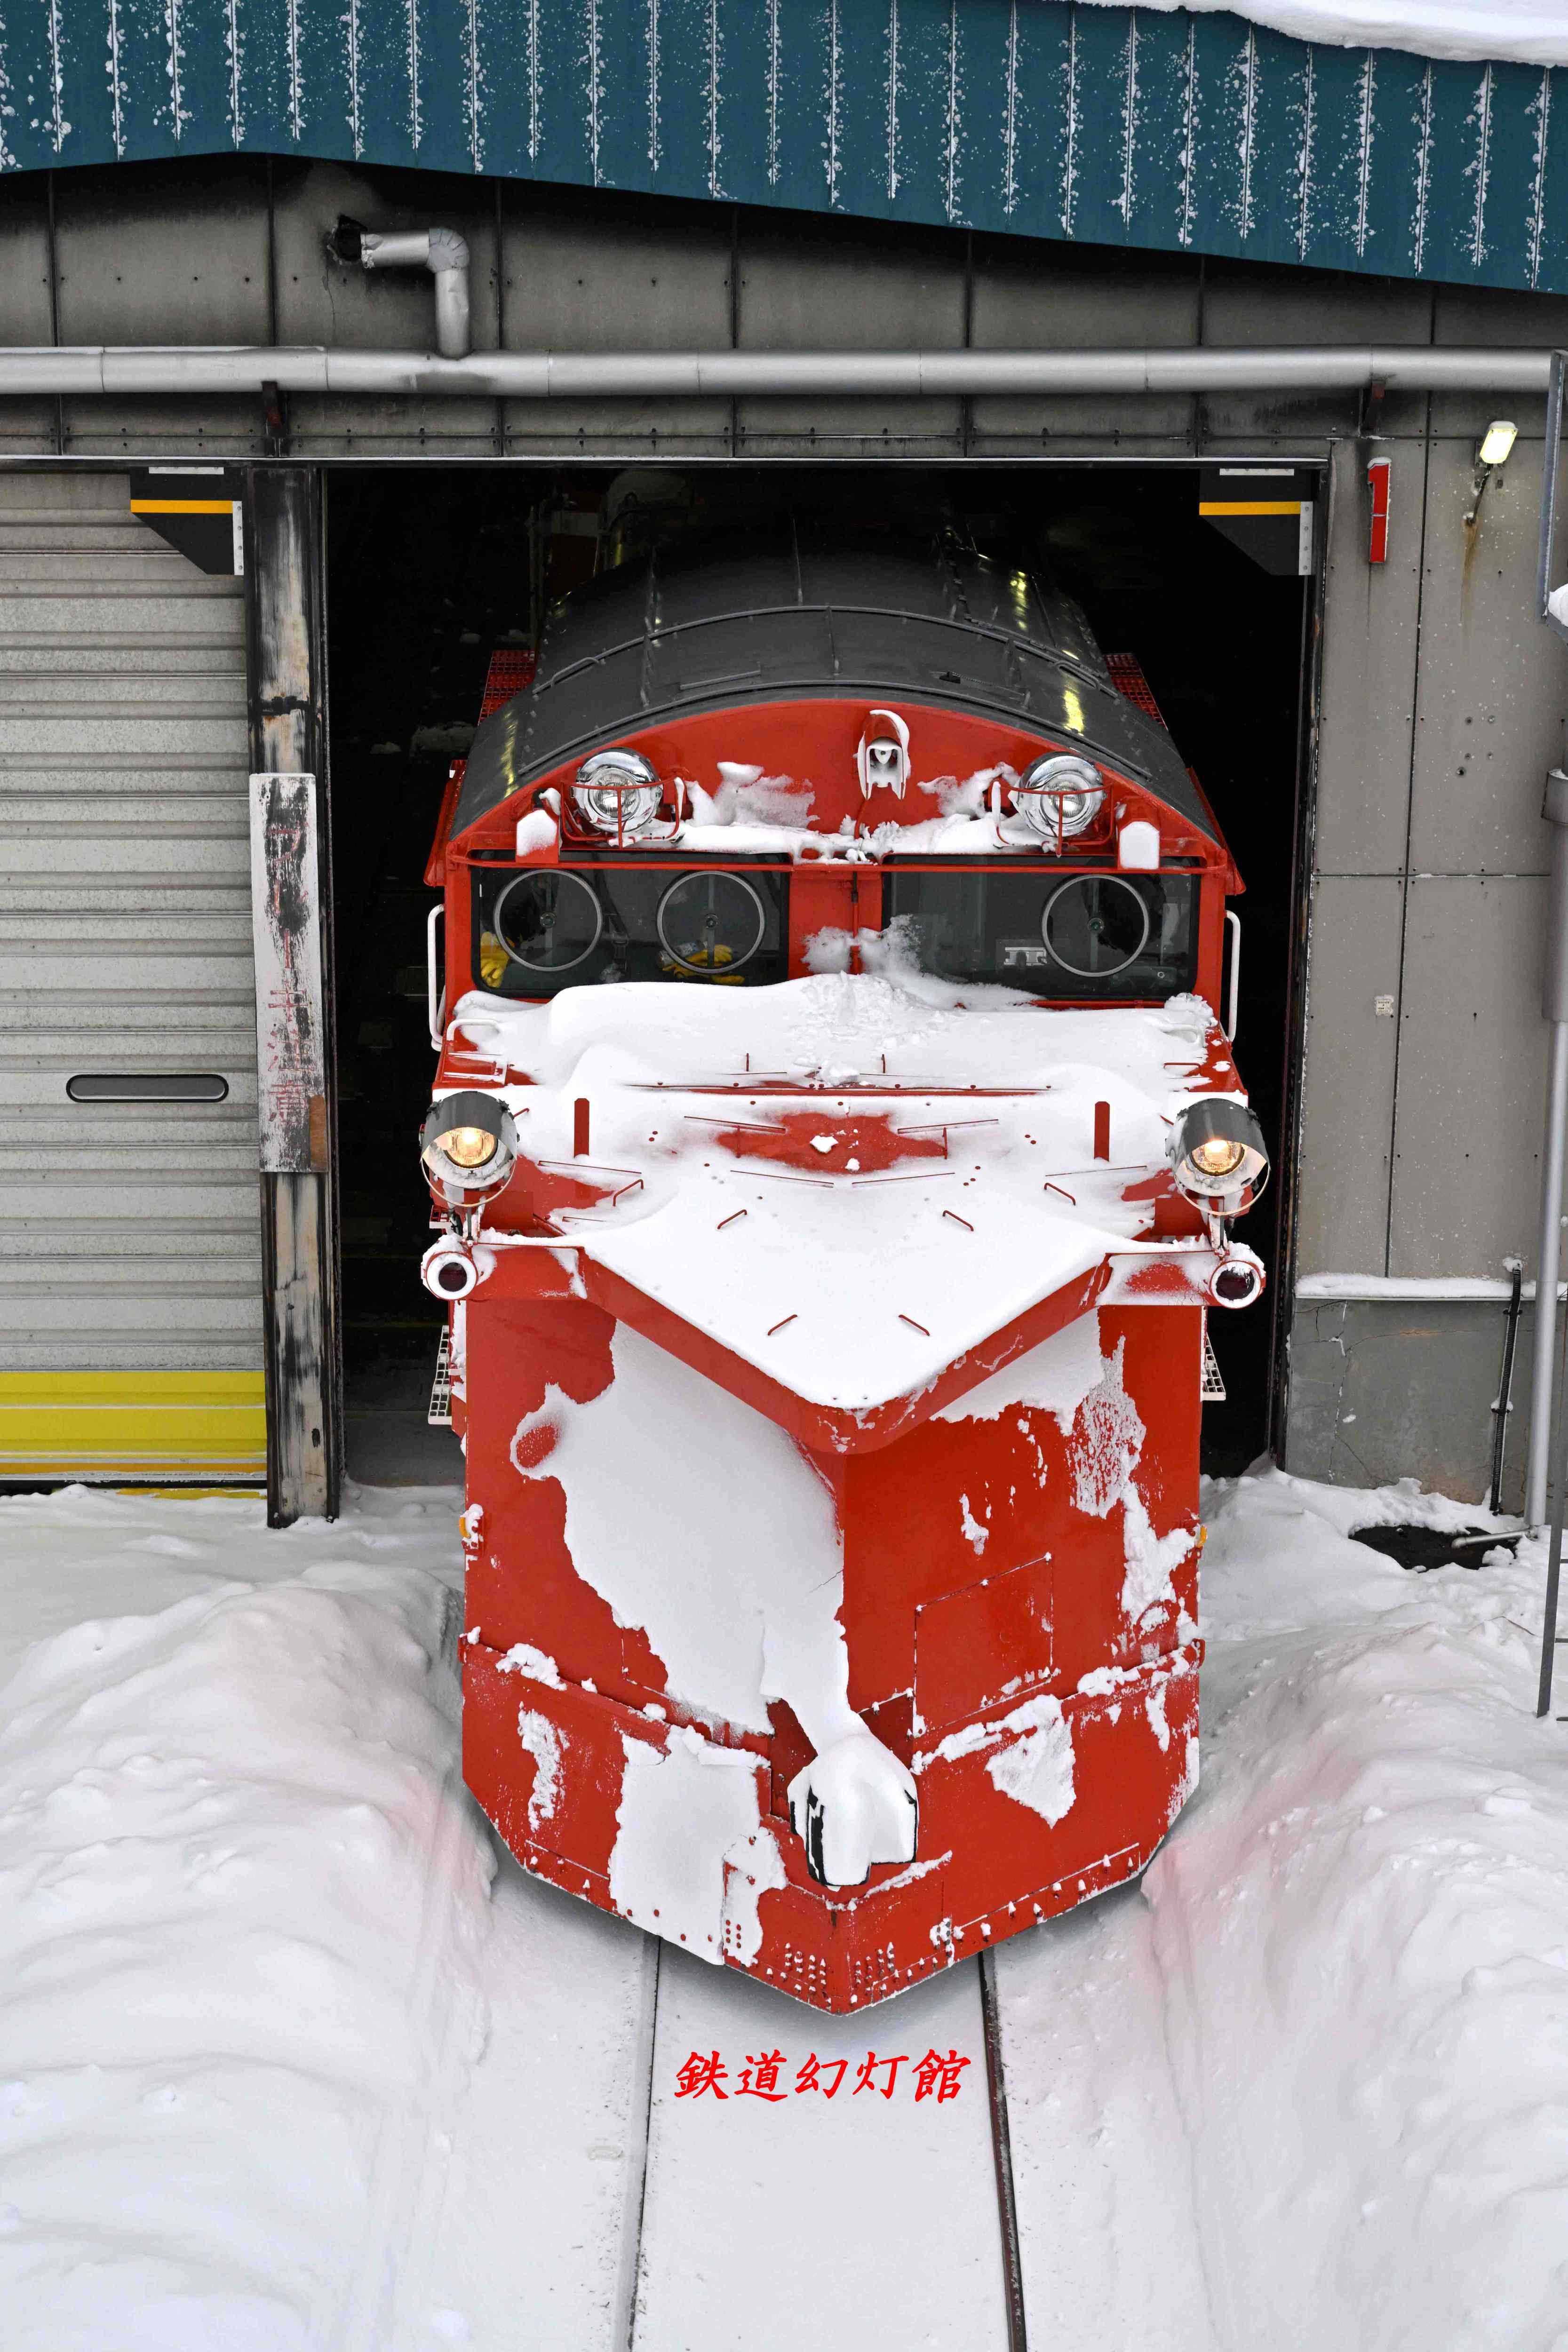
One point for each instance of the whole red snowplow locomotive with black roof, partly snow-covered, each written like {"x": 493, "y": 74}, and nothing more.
{"x": 833, "y": 1154}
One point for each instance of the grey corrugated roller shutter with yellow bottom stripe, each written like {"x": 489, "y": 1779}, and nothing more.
{"x": 130, "y": 1248}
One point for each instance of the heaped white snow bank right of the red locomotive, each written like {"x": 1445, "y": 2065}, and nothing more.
{"x": 1362, "y": 1937}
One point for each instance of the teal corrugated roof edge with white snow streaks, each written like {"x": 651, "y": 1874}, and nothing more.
{"x": 1033, "y": 116}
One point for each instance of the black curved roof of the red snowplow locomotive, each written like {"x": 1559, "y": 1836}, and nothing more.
{"x": 725, "y": 624}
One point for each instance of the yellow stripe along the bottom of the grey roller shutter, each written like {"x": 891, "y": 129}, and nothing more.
{"x": 133, "y": 1424}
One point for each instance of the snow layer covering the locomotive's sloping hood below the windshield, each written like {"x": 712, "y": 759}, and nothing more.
{"x": 850, "y": 1182}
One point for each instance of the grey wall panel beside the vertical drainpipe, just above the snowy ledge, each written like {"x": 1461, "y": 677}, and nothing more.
{"x": 1470, "y": 1078}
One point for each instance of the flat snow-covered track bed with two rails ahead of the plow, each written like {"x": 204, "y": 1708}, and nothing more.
{"x": 572, "y": 2191}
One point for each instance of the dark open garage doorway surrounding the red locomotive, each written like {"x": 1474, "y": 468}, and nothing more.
{"x": 434, "y": 570}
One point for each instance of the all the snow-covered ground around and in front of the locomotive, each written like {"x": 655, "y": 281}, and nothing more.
{"x": 283, "y": 2069}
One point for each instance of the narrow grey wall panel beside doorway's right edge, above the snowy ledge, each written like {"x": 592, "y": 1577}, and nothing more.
{"x": 1348, "y": 1102}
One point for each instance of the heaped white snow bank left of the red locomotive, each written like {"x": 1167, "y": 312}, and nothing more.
{"x": 239, "y": 1920}
